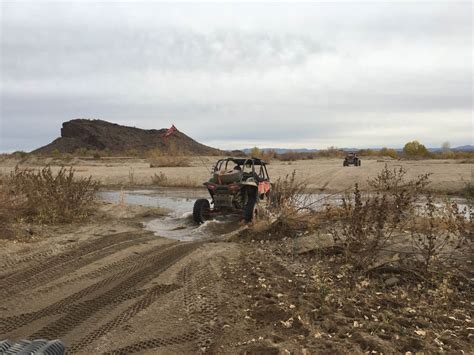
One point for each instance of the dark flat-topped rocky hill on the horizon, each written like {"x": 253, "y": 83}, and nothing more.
{"x": 103, "y": 135}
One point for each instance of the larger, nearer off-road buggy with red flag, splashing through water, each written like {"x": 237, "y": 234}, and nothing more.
{"x": 237, "y": 186}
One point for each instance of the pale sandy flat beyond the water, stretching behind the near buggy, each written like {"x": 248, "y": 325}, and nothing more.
{"x": 321, "y": 174}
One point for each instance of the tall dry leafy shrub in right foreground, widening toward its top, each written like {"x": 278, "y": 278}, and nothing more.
{"x": 363, "y": 225}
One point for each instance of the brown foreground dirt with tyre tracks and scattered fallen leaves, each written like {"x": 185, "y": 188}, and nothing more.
{"x": 108, "y": 286}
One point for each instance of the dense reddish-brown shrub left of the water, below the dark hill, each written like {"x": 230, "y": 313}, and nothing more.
{"x": 53, "y": 197}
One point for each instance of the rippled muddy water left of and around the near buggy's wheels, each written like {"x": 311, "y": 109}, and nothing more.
{"x": 179, "y": 224}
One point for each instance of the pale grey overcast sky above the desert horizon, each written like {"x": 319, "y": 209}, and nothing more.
{"x": 347, "y": 74}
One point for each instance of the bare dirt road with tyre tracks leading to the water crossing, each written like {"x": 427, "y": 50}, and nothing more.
{"x": 118, "y": 293}
